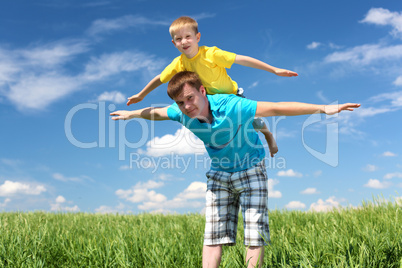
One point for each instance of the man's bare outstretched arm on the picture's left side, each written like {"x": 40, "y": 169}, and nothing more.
{"x": 150, "y": 113}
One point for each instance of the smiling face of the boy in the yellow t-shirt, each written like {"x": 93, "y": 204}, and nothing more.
{"x": 186, "y": 41}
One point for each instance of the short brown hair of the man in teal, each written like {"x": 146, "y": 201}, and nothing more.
{"x": 176, "y": 84}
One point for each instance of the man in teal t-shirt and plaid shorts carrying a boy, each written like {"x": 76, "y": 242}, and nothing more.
{"x": 237, "y": 177}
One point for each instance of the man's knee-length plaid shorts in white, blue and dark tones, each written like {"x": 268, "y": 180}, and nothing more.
{"x": 226, "y": 192}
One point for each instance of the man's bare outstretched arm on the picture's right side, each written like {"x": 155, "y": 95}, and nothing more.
{"x": 298, "y": 108}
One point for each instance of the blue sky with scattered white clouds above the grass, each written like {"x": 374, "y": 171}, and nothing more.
{"x": 65, "y": 65}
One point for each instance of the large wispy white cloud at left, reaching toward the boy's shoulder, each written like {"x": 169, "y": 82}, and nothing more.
{"x": 39, "y": 73}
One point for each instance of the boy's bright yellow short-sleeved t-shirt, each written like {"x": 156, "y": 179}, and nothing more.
{"x": 210, "y": 64}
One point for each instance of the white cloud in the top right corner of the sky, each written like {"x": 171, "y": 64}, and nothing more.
{"x": 381, "y": 16}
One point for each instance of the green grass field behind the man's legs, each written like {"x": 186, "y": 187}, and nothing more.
{"x": 370, "y": 236}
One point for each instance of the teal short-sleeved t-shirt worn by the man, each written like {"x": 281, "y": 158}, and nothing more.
{"x": 230, "y": 140}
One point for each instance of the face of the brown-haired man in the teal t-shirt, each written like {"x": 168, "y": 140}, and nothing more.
{"x": 193, "y": 103}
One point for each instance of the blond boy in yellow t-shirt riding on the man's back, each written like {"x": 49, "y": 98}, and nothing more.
{"x": 210, "y": 64}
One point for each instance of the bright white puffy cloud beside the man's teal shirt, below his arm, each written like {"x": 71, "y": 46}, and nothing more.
{"x": 181, "y": 143}
